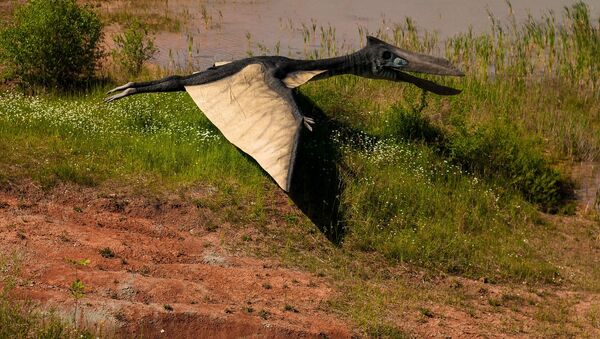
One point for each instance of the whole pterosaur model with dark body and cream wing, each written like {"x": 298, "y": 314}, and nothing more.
{"x": 251, "y": 102}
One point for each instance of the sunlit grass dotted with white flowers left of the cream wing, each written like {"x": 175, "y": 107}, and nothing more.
{"x": 86, "y": 141}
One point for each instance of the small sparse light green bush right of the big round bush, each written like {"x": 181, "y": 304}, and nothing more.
{"x": 134, "y": 47}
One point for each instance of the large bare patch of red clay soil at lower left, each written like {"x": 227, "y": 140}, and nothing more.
{"x": 165, "y": 279}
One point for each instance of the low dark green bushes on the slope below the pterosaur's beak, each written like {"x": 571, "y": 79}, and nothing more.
{"x": 494, "y": 152}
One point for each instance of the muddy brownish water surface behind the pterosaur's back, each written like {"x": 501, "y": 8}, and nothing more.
{"x": 237, "y": 27}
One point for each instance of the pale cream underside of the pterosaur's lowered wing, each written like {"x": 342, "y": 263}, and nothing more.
{"x": 253, "y": 117}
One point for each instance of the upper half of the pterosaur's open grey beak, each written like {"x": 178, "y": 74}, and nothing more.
{"x": 422, "y": 63}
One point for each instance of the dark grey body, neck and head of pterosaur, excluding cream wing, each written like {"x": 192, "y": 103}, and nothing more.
{"x": 377, "y": 60}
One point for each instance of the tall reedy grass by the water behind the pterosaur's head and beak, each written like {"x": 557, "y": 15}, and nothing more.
{"x": 542, "y": 74}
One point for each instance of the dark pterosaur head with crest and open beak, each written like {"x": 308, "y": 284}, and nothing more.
{"x": 391, "y": 62}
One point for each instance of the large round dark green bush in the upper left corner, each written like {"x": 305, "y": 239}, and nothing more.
{"x": 52, "y": 43}
